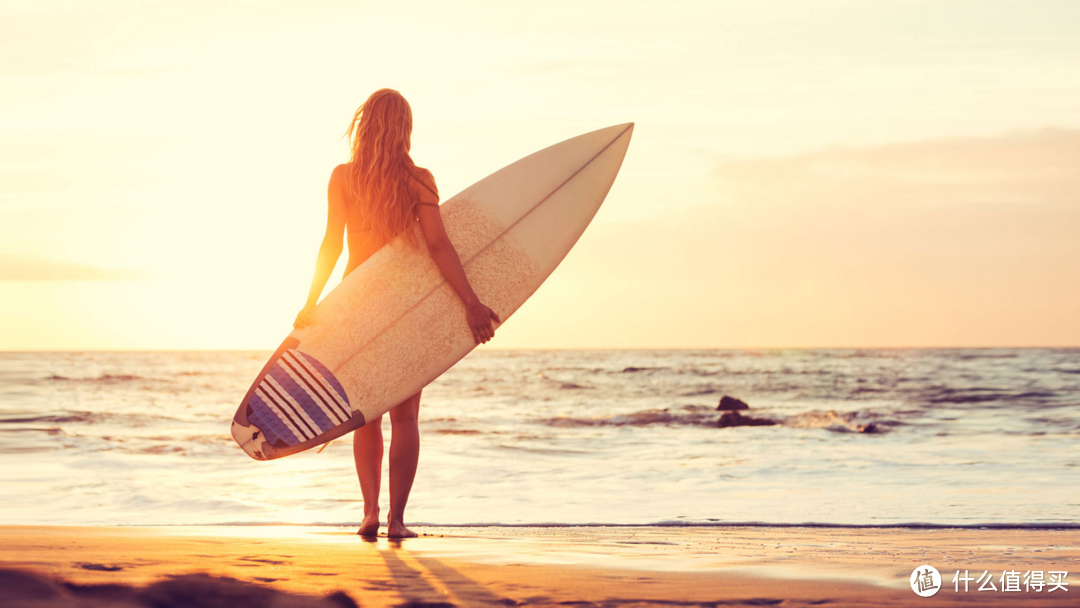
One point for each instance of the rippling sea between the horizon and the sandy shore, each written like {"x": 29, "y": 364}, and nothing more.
{"x": 865, "y": 438}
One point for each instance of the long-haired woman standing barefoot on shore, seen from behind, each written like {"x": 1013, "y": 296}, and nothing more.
{"x": 377, "y": 196}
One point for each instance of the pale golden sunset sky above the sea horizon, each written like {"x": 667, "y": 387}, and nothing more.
{"x": 804, "y": 173}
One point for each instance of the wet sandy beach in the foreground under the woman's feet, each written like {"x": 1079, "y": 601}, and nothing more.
{"x": 496, "y": 566}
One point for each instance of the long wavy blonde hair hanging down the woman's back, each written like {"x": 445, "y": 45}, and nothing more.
{"x": 381, "y": 167}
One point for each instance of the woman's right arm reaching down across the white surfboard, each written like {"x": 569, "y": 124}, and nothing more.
{"x": 445, "y": 256}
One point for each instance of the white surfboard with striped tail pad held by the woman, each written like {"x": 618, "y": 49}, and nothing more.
{"x": 395, "y": 325}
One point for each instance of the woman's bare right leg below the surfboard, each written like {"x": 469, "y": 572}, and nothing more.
{"x": 404, "y": 454}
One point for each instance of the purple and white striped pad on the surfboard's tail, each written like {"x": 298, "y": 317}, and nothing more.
{"x": 298, "y": 400}
